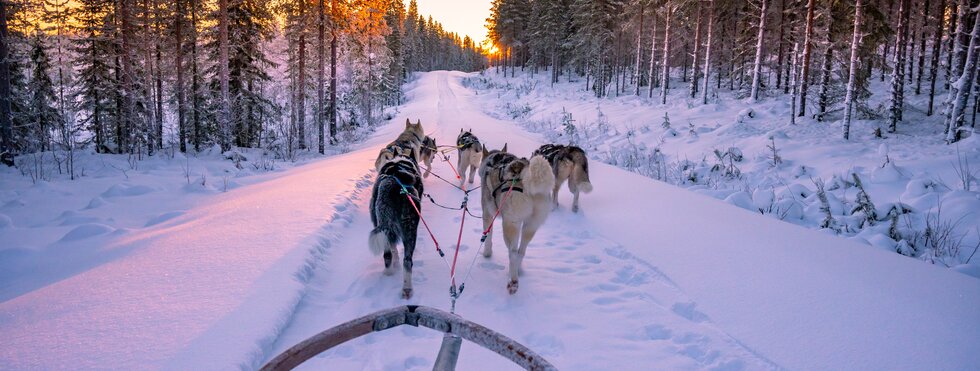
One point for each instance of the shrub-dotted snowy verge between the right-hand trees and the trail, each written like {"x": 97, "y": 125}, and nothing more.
{"x": 726, "y": 147}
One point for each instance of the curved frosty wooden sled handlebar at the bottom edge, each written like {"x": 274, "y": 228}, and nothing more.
{"x": 413, "y": 315}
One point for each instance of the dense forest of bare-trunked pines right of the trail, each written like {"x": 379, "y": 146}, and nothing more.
{"x": 823, "y": 54}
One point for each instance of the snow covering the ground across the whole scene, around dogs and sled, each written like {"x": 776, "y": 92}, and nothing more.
{"x": 169, "y": 271}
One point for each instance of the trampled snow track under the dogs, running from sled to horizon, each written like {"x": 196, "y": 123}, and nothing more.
{"x": 571, "y": 275}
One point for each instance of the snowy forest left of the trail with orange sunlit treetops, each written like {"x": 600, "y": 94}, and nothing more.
{"x": 137, "y": 76}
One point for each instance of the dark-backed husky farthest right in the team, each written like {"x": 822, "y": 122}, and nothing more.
{"x": 568, "y": 163}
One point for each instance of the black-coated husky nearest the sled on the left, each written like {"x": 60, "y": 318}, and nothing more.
{"x": 393, "y": 215}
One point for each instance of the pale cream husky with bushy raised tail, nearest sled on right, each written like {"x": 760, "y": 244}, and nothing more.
{"x": 529, "y": 184}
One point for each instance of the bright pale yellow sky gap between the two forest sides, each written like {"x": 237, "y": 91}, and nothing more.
{"x": 466, "y": 17}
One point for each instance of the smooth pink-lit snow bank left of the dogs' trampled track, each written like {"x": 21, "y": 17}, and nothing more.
{"x": 175, "y": 295}
